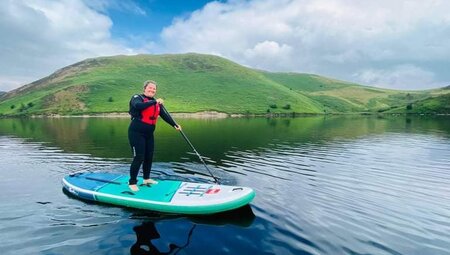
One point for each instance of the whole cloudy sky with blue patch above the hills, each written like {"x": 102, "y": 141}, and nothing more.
{"x": 401, "y": 44}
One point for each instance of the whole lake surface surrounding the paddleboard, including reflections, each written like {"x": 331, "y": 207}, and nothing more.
{"x": 325, "y": 185}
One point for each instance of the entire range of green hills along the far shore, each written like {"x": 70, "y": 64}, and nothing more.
{"x": 195, "y": 83}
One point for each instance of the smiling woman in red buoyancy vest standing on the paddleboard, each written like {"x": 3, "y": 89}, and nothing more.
{"x": 144, "y": 111}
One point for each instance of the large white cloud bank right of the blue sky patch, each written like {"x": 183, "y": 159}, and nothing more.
{"x": 345, "y": 39}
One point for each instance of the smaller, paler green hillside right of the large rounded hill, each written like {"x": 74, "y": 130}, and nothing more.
{"x": 340, "y": 96}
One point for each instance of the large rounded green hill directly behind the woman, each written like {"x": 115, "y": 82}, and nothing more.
{"x": 188, "y": 82}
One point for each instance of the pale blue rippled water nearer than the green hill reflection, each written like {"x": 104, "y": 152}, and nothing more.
{"x": 380, "y": 194}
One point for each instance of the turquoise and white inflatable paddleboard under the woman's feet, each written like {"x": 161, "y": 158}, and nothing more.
{"x": 166, "y": 196}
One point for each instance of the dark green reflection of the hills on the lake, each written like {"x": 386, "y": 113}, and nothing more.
{"x": 107, "y": 137}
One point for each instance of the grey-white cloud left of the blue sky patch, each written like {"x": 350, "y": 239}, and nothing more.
{"x": 40, "y": 36}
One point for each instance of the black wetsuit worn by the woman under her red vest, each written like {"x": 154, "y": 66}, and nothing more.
{"x": 140, "y": 136}
